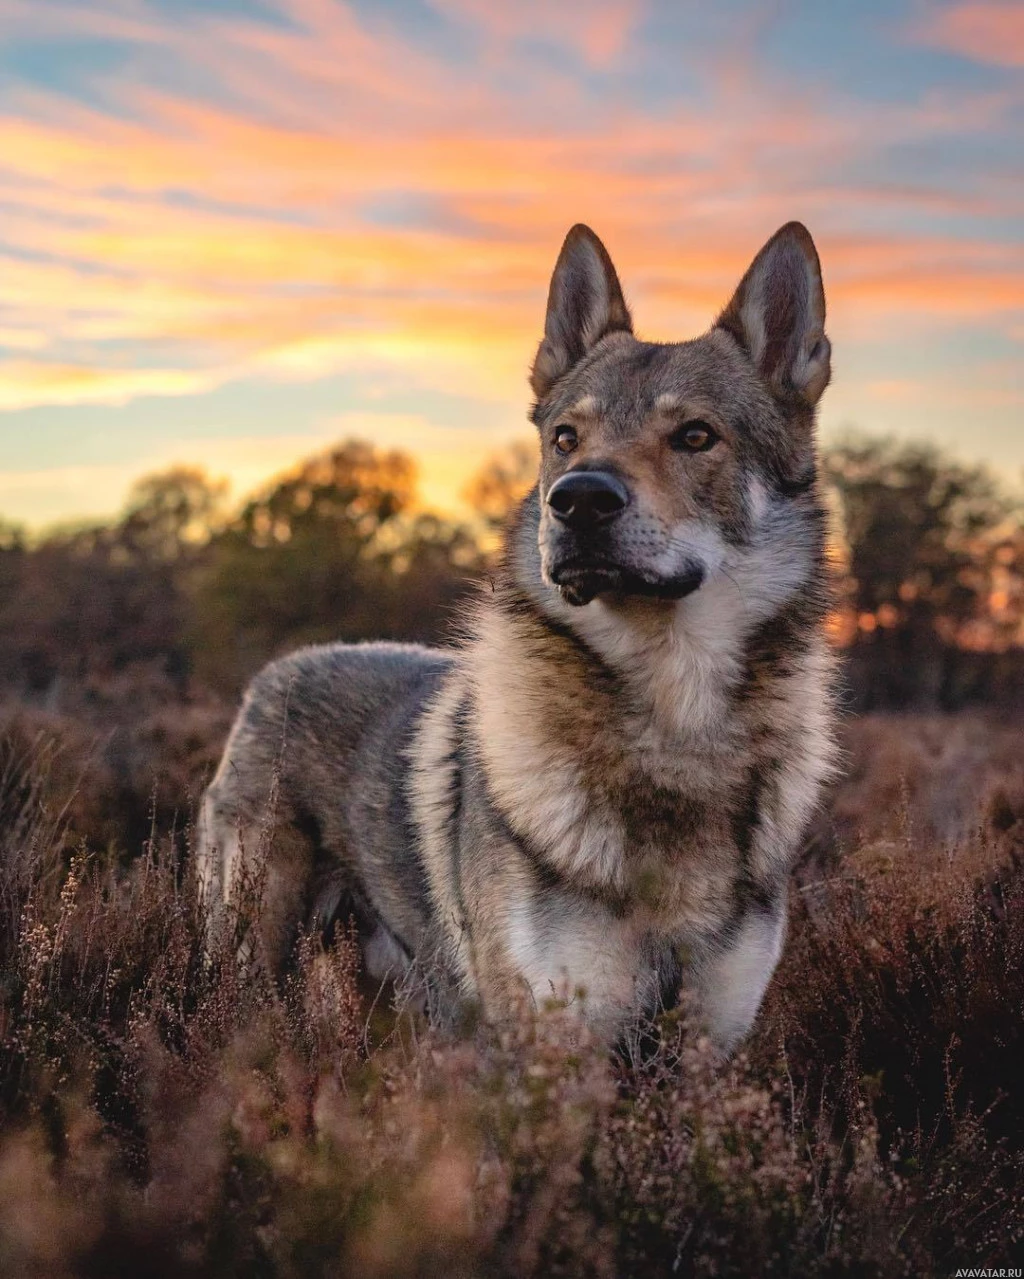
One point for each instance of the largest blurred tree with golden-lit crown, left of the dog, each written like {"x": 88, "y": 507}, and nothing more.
{"x": 332, "y": 552}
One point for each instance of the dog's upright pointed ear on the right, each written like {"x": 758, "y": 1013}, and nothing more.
{"x": 778, "y": 317}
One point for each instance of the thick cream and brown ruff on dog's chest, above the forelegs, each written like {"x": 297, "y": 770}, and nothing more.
{"x": 640, "y": 790}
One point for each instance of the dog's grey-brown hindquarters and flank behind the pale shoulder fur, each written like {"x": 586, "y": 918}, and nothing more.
{"x": 307, "y": 787}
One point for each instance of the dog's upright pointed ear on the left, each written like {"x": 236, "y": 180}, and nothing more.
{"x": 585, "y": 305}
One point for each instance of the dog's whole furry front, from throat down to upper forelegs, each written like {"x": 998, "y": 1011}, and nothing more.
{"x": 585, "y": 829}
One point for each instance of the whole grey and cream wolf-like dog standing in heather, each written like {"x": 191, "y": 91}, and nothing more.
{"x": 601, "y": 790}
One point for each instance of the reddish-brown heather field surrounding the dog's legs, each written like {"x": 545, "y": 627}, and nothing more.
{"x": 163, "y": 1115}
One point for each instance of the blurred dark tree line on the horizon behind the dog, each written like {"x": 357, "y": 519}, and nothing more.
{"x": 929, "y": 557}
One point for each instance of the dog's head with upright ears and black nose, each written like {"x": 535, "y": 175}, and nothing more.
{"x": 656, "y": 460}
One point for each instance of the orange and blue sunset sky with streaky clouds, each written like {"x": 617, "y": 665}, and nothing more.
{"x": 236, "y": 231}
